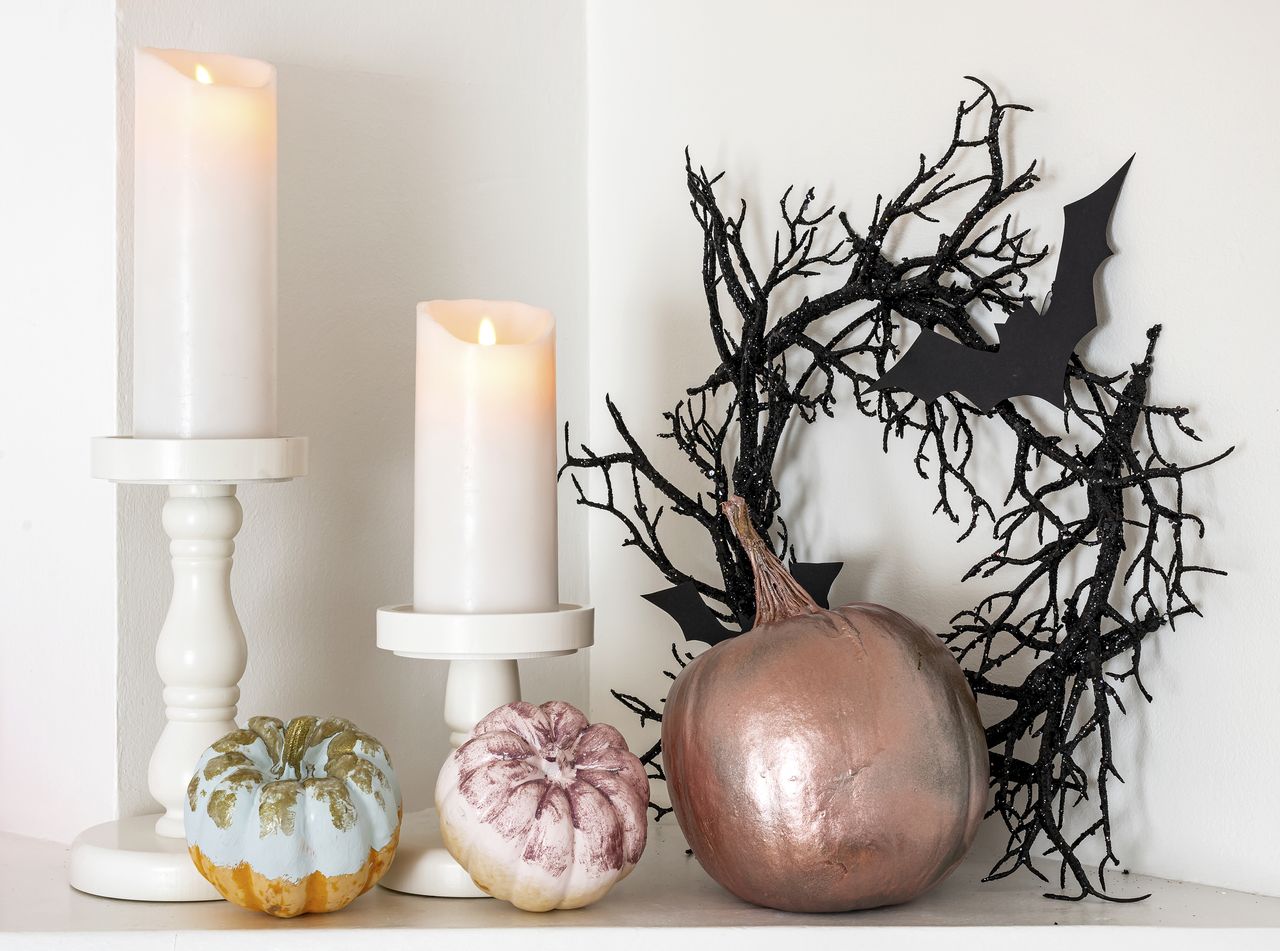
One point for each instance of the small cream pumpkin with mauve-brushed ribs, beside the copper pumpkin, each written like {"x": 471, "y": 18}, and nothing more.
{"x": 542, "y": 808}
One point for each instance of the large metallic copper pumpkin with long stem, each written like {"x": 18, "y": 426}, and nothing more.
{"x": 826, "y": 761}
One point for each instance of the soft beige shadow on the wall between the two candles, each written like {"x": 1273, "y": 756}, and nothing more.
{"x": 355, "y": 200}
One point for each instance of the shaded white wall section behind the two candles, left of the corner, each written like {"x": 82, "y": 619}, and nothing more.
{"x": 427, "y": 150}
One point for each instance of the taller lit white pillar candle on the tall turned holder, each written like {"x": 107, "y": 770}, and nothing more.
{"x": 204, "y": 246}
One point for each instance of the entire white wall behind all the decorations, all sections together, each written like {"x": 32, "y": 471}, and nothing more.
{"x": 534, "y": 150}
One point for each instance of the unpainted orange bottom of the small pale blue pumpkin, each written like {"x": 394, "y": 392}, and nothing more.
{"x": 286, "y": 899}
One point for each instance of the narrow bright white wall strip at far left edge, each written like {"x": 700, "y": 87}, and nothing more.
{"x": 57, "y": 390}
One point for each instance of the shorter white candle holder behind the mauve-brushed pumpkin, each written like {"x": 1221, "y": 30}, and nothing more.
{"x": 482, "y": 651}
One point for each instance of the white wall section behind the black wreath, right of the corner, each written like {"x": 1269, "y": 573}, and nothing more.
{"x": 845, "y": 97}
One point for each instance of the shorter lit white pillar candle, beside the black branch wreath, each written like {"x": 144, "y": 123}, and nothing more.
{"x": 484, "y": 492}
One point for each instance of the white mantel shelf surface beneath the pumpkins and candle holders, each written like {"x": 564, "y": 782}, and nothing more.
{"x": 668, "y": 903}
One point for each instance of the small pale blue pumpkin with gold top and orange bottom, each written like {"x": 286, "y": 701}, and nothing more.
{"x": 289, "y": 820}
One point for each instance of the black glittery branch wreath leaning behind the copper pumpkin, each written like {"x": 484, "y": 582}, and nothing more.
{"x": 1086, "y": 591}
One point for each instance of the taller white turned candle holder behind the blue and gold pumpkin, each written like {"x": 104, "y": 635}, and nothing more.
{"x": 200, "y": 655}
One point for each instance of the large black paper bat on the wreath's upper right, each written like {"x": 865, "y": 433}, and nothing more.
{"x": 1035, "y": 348}
